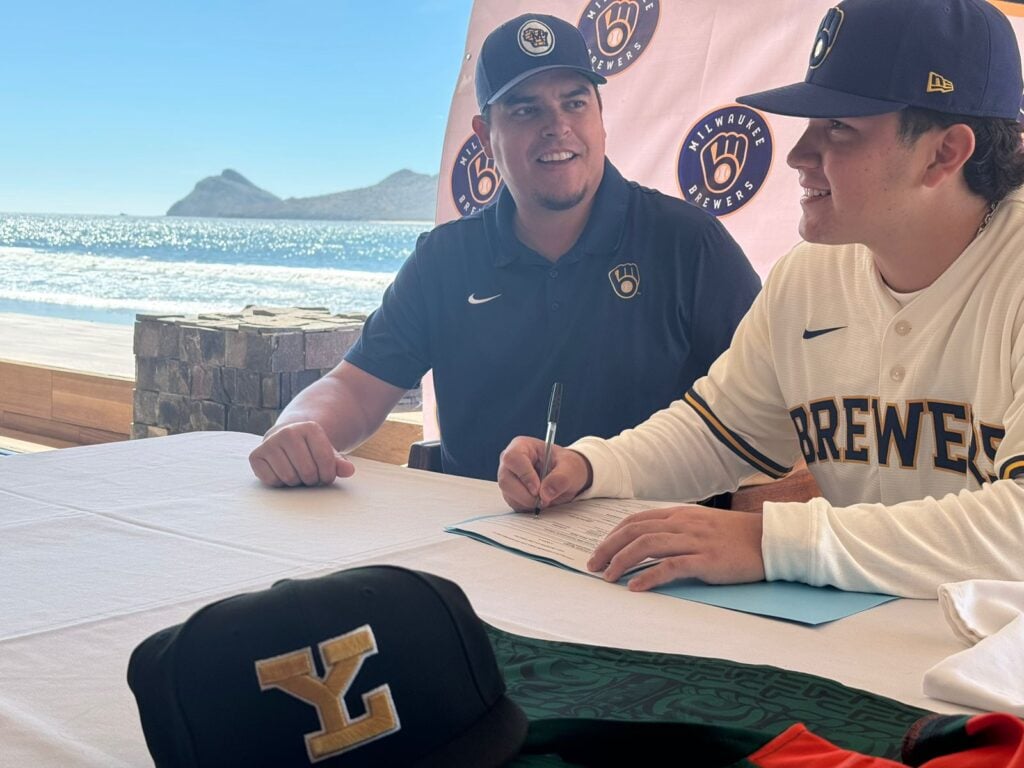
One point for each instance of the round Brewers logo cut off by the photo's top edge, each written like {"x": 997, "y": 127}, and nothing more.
{"x": 618, "y": 32}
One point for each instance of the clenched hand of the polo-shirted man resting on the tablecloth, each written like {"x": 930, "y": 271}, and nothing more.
{"x": 298, "y": 454}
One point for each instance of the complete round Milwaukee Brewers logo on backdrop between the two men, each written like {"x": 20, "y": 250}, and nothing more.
{"x": 724, "y": 159}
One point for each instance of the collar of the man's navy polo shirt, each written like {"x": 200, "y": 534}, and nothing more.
{"x": 604, "y": 232}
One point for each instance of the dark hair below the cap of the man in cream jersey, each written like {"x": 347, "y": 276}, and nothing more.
{"x": 997, "y": 167}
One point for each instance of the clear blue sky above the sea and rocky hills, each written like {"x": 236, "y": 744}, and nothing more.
{"x": 117, "y": 107}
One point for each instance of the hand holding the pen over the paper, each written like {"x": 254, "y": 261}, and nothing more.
{"x": 520, "y": 481}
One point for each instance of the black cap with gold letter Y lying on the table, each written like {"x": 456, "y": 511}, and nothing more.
{"x": 368, "y": 667}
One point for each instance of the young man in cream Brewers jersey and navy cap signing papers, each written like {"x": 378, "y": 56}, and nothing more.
{"x": 887, "y": 351}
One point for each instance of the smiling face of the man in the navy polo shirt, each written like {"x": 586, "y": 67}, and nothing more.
{"x": 547, "y": 139}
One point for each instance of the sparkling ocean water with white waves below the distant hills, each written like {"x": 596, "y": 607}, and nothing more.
{"x": 107, "y": 269}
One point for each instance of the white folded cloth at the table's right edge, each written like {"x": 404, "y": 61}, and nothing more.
{"x": 990, "y": 617}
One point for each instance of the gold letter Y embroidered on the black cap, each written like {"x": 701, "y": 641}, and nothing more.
{"x": 294, "y": 674}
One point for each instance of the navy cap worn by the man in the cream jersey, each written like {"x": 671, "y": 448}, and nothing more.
{"x": 876, "y": 57}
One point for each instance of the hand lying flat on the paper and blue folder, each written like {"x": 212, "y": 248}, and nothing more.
{"x": 713, "y": 545}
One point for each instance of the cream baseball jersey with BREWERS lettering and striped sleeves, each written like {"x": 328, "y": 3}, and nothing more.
{"x": 911, "y": 418}
